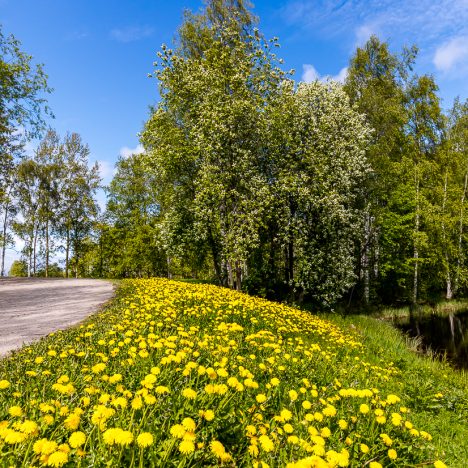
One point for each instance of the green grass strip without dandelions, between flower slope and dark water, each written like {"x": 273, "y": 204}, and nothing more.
{"x": 421, "y": 377}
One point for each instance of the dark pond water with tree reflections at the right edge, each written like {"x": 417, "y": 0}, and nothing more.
{"x": 444, "y": 334}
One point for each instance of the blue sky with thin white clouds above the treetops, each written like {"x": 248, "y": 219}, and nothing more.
{"x": 98, "y": 53}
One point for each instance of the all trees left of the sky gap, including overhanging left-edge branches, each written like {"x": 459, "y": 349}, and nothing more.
{"x": 47, "y": 199}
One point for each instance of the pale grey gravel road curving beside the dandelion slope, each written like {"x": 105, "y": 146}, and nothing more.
{"x": 33, "y": 307}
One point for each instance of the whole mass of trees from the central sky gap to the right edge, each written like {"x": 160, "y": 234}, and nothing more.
{"x": 316, "y": 191}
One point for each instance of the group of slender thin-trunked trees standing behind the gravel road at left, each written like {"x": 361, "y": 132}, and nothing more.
{"x": 52, "y": 206}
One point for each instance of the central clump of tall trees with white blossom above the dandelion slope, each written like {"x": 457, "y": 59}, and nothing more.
{"x": 239, "y": 169}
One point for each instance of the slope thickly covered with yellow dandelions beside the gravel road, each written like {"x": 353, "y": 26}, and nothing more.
{"x": 176, "y": 374}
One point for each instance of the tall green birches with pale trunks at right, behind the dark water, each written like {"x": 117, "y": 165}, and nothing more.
{"x": 414, "y": 198}
